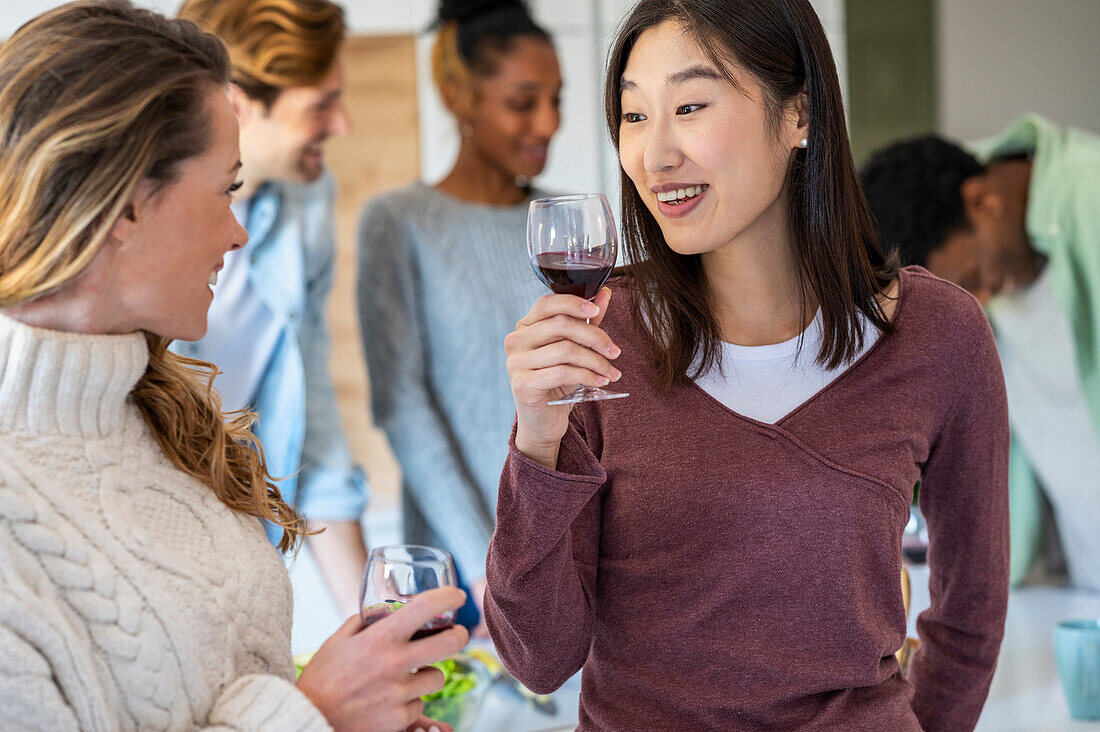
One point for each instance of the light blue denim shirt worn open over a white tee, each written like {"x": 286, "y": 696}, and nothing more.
{"x": 291, "y": 256}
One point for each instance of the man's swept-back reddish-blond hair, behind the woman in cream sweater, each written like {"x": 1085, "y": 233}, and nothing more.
{"x": 273, "y": 45}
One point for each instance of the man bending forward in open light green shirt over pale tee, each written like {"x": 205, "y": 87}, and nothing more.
{"x": 1016, "y": 221}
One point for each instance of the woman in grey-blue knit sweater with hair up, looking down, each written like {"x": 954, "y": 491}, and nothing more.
{"x": 444, "y": 277}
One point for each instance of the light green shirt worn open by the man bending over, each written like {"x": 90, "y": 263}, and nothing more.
{"x": 1063, "y": 222}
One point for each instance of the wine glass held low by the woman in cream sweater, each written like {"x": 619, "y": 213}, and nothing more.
{"x": 394, "y": 574}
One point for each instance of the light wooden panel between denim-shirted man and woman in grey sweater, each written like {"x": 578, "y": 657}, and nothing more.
{"x": 381, "y": 152}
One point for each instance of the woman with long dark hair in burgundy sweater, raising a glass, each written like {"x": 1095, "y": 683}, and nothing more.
{"x": 723, "y": 549}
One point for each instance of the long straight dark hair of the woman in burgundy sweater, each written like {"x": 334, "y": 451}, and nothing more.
{"x": 782, "y": 43}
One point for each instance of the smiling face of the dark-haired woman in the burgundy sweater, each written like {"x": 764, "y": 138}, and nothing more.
{"x": 705, "y": 156}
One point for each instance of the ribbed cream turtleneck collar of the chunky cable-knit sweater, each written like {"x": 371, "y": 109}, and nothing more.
{"x": 65, "y": 384}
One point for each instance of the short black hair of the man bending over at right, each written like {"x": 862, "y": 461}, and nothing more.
{"x": 915, "y": 191}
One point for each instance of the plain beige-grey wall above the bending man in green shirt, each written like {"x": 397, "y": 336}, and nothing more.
{"x": 997, "y": 59}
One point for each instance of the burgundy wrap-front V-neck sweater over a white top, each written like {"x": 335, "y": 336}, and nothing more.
{"x": 710, "y": 572}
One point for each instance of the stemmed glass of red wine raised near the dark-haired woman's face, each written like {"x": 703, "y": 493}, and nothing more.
{"x": 573, "y": 244}
